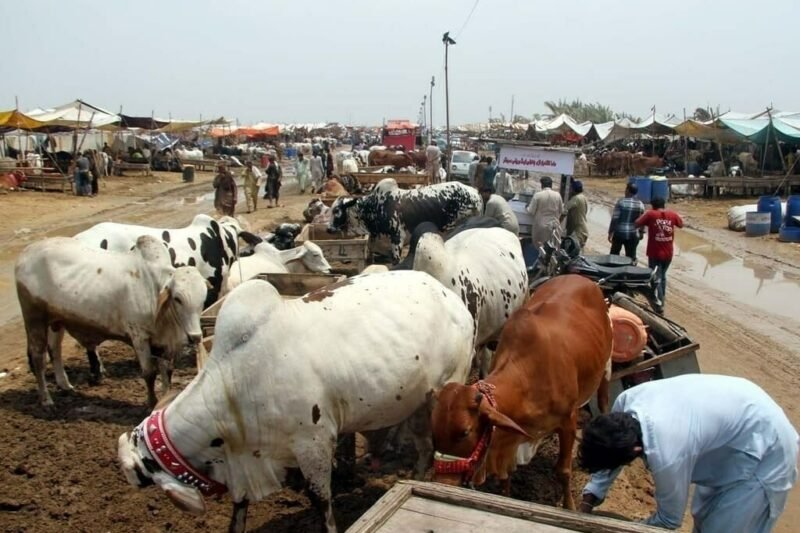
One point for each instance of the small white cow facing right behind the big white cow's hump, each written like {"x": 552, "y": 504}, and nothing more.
{"x": 267, "y": 259}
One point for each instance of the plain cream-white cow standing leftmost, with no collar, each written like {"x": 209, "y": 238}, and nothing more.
{"x": 137, "y": 297}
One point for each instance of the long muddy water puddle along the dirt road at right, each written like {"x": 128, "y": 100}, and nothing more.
{"x": 745, "y": 281}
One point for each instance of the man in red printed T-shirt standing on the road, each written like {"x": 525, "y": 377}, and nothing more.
{"x": 660, "y": 224}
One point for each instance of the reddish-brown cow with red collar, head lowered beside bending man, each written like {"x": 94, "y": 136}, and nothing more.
{"x": 554, "y": 354}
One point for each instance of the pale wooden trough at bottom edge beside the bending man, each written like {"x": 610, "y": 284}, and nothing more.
{"x": 414, "y": 506}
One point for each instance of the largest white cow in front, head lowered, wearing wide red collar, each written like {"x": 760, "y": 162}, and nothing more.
{"x": 265, "y": 402}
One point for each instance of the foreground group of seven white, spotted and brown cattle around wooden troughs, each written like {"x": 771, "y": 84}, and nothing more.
{"x": 390, "y": 346}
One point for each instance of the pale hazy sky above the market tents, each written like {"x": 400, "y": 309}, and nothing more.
{"x": 361, "y": 61}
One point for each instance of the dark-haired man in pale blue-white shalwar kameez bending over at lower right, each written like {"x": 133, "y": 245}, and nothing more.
{"x": 723, "y": 434}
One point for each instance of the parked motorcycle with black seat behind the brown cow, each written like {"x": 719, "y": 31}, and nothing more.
{"x": 612, "y": 273}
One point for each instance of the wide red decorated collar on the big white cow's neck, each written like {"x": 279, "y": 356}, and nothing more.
{"x": 164, "y": 452}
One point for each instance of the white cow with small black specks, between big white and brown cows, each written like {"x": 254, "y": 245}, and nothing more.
{"x": 485, "y": 268}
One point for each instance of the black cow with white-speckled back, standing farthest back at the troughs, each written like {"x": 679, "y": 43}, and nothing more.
{"x": 394, "y": 212}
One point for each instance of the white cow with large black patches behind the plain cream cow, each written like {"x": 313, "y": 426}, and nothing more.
{"x": 210, "y": 245}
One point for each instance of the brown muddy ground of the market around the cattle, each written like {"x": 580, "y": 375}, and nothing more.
{"x": 58, "y": 468}
